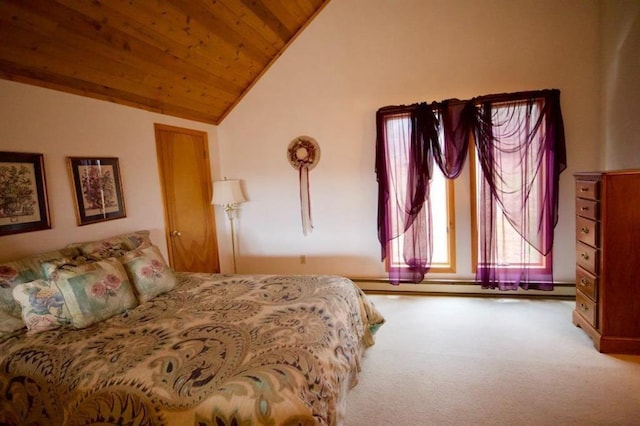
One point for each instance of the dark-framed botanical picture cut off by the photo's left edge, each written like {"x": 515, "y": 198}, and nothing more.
{"x": 24, "y": 206}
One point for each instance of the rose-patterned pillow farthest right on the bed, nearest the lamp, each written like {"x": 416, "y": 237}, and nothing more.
{"x": 149, "y": 272}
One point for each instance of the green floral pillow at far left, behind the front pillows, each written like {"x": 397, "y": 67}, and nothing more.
{"x": 23, "y": 271}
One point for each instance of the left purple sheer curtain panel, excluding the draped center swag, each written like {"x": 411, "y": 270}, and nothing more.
{"x": 403, "y": 170}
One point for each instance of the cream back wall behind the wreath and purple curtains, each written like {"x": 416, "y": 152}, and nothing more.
{"x": 360, "y": 55}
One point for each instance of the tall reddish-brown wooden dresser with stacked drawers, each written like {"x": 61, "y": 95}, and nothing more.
{"x": 608, "y": 259}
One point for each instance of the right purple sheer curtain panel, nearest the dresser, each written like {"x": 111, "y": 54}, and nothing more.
{"x": 521, "y": 150}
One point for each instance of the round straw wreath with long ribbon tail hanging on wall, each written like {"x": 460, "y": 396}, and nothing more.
{"x": 303, "y": 154}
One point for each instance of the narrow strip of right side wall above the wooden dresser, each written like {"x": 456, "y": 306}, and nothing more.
{"x": 620, "y": 58}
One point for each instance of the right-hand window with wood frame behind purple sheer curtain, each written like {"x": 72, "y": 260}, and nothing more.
{"x": 515, "y": 155}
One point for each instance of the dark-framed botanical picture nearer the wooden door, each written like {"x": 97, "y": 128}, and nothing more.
{"x": 97, "y": 189}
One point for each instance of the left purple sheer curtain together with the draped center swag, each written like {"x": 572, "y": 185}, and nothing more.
{"x": 404, "y": 170}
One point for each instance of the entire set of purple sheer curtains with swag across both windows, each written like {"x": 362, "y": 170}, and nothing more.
{"x": 519, "y": 138}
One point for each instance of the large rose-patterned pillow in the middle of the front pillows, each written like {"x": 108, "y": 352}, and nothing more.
{"x": 95, "y": 291}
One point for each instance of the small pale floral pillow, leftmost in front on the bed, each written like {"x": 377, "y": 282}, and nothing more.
{"x": 43, "y": 306}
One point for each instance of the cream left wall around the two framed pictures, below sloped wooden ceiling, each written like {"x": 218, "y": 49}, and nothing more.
{"x": 33, "y": 119}
